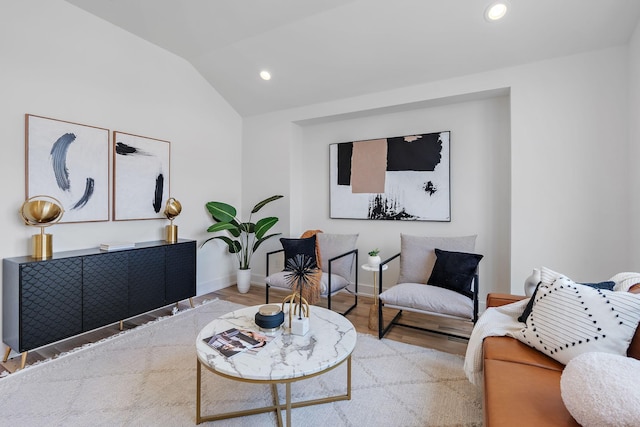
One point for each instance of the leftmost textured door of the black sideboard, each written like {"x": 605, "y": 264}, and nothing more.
{"x": 50, "y": 301}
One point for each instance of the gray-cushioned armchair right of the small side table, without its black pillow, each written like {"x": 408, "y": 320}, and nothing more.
{"x": 412, "y": 293}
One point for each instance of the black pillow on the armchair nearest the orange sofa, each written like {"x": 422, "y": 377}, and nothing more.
{"x": 454, "y": 271}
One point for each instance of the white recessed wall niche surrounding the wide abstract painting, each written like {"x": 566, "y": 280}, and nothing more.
{"x": 479, "y": 177}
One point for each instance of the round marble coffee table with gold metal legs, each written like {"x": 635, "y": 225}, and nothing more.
{"x": 288, "y": 358}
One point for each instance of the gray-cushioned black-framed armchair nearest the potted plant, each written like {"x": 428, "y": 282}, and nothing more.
{"x": 338, "y": 261}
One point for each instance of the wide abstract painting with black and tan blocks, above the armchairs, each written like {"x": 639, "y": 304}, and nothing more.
{"x": 400, "y": 178}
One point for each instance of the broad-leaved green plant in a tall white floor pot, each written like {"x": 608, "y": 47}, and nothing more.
{"x": 245, "y": 238}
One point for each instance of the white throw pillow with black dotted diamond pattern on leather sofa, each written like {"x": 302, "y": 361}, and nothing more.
{"x": 568, "y": 319}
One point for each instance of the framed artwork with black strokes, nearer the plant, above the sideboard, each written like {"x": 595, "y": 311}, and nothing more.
{"x": 140, "y": 176}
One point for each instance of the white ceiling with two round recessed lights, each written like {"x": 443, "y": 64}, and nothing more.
{"x": 323, "y": 50}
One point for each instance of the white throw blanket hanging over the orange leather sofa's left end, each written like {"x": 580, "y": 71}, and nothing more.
{"x": 494, "y": 322}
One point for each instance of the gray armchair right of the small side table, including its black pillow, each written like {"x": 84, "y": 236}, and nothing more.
{"x": 438, "y": 276}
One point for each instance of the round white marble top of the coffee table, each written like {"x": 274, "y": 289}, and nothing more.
{"x": 330, "y": 340}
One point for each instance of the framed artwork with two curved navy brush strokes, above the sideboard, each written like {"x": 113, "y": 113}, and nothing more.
{"x": 69, "y": 162}
